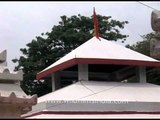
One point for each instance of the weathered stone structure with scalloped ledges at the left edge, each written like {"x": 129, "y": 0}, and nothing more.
{"x": 13, "y": 101}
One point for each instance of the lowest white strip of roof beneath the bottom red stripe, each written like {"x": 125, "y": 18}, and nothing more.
{"x": 48, "y": 115}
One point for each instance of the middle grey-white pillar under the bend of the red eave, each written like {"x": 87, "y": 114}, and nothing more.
{"x": 83, "y": 72}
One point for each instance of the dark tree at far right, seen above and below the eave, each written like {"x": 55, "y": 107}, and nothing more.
{"x": 153, "y": 75}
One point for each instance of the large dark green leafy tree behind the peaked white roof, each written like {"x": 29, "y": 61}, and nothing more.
{"x": 63, "y": 38}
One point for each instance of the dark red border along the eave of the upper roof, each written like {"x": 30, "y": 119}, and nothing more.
{"x": 95, "y": 61}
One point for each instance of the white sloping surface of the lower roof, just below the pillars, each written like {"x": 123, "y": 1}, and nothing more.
{"x": 95, "y": 90}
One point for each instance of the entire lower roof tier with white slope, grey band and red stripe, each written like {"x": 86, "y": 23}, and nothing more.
{"x": 99, "y": 98}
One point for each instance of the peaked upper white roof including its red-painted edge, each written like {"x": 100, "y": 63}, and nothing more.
{"x": 102, "y": 51}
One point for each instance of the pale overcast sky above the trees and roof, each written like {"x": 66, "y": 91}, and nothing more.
{"x": 20, "y": 22}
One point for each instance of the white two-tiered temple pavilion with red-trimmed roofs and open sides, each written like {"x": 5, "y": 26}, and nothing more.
{"x": 108, "y": 80}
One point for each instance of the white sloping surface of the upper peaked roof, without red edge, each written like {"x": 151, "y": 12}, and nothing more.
{"x": 102, "y": 49}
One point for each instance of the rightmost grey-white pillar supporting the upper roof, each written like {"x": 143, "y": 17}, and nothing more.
{"x": 141, "y": 74}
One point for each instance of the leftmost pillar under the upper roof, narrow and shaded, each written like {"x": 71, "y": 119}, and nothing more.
{"x": 55, "y": 81}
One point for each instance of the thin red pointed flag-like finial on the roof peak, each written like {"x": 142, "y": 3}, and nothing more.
{"x": 96, "y": 33}
